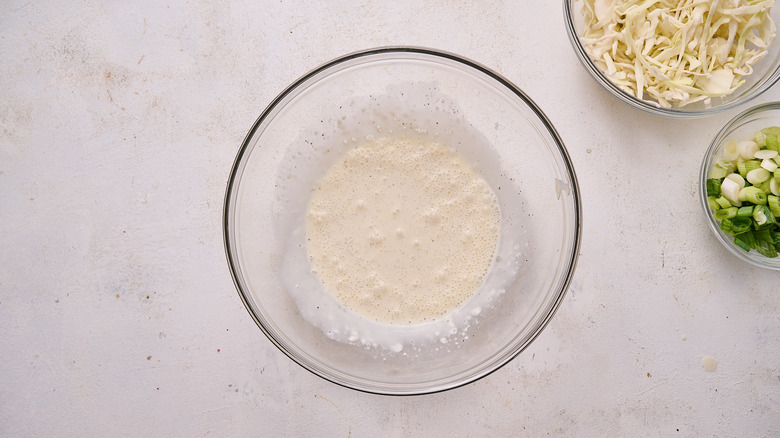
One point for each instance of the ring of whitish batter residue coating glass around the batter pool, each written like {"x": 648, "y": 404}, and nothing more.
{"x": 408, "y": 110}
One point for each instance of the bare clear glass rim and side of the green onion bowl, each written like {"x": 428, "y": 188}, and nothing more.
{"x": 741, "y": 127}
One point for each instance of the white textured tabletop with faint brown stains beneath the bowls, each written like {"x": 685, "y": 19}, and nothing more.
{"x": 118, "y": 125}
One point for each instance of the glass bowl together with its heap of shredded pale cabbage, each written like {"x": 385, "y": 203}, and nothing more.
{"x": 678, "y": 58}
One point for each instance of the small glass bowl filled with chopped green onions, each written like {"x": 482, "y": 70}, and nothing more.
{"x": 740, "y": 185}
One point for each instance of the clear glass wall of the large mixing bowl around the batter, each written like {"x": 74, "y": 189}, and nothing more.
{"x": 491, "y": 122}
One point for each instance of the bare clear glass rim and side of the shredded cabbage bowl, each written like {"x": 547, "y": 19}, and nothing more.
{"x": 765, "y": 74}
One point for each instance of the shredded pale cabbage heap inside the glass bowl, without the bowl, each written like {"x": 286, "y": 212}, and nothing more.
{"x": 677, "y": 52}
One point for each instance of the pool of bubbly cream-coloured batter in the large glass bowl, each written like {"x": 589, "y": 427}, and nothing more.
{"x": 402, "y": 230}
